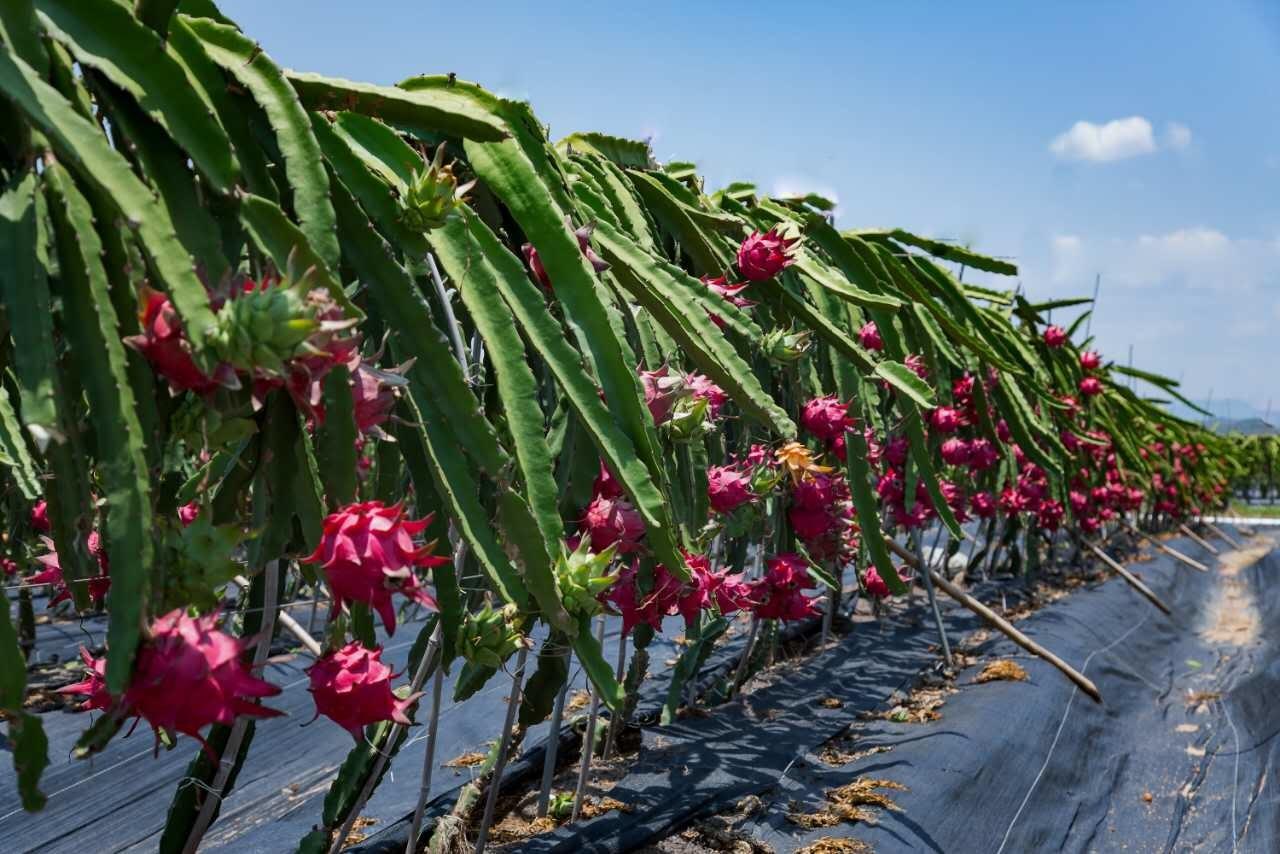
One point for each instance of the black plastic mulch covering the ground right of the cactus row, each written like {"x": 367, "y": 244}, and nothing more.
{"x": 1177, "y": 760}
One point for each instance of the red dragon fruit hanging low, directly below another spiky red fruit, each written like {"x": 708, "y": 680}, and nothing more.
{"x": 353, "y": 688}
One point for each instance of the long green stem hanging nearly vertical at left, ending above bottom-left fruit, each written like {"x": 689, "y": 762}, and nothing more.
{"x": 100, "y": 359}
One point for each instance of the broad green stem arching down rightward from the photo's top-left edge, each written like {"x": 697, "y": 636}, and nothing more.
{"x": 106, "y": 36}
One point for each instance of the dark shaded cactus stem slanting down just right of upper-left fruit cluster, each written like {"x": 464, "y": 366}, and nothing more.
{"x": 401, "y": 303}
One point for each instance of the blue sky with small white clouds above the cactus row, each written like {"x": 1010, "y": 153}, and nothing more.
{"x": 961, "y": 121}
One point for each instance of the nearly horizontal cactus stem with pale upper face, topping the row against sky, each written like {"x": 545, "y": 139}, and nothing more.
{"x": 420, "y": 113}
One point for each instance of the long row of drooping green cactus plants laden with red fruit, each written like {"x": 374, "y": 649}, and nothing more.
{"x": 291, "y": 334}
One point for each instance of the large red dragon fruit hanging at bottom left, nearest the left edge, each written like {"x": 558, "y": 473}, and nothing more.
{"x": 188, "y": 677}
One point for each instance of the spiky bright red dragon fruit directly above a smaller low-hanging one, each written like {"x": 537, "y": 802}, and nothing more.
{"x": 368, "y": 554}
